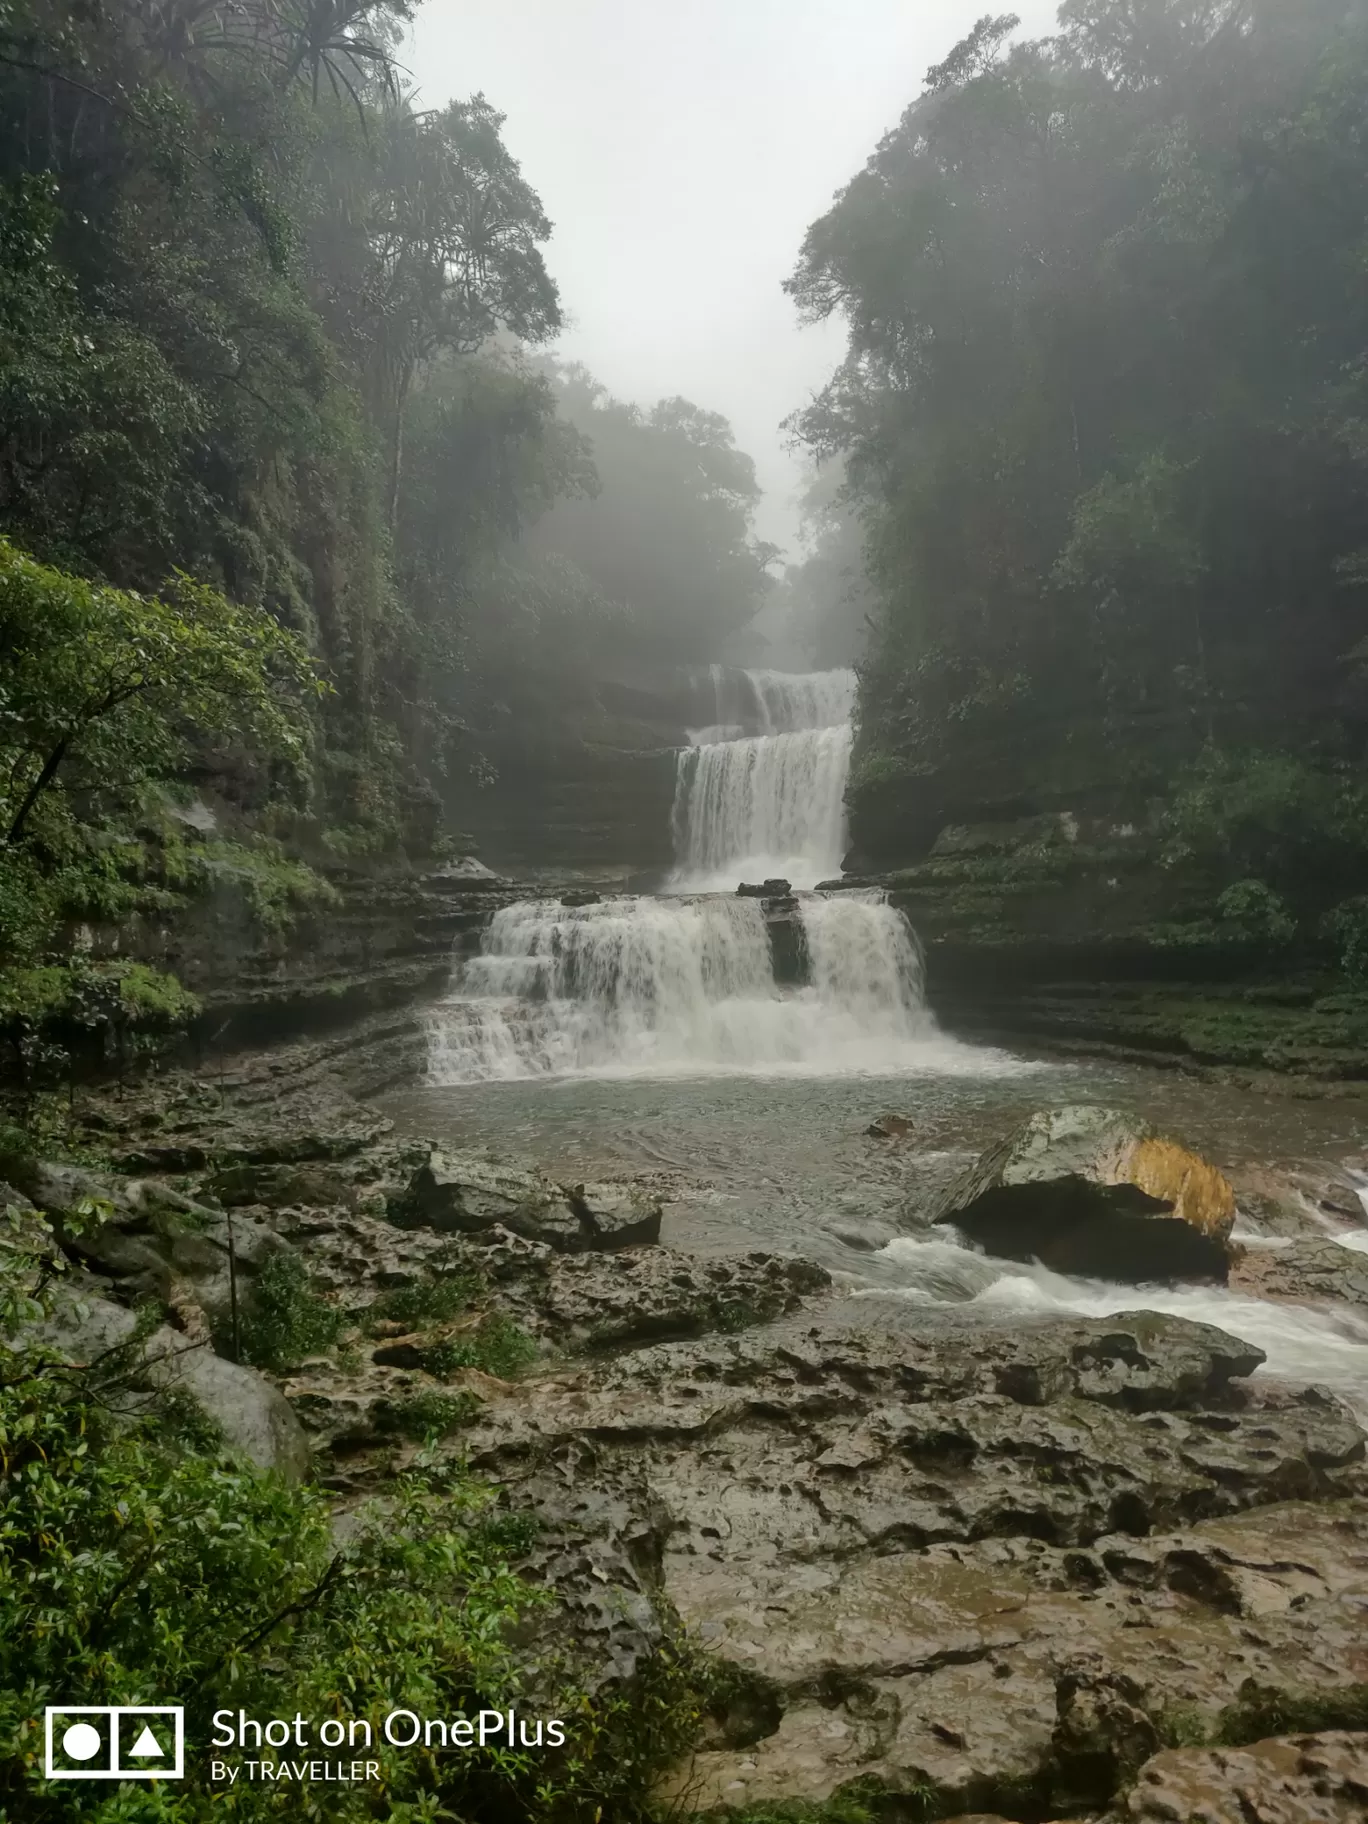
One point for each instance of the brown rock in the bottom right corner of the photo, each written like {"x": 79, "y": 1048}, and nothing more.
{"x": 1289, "y": 1779}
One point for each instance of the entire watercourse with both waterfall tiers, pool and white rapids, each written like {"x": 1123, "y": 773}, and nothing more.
{"x": 659, "y": 1035}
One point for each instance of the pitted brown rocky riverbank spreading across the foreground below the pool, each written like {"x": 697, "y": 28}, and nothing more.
{"x": 940, "y": 1562}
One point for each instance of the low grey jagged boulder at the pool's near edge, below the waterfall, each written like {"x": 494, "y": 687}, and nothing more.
{"x": 464, "y": 1194}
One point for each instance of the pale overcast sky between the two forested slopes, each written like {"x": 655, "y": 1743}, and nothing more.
{"x": 681, "y": 154}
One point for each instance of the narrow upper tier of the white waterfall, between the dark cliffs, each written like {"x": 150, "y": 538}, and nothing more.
{"x": 769, "y": 803}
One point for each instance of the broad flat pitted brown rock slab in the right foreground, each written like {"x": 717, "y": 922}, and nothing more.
{"x": 968, "y": 1566}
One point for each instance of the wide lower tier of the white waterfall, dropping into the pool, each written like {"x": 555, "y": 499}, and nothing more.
{"x": 683, "y": 986}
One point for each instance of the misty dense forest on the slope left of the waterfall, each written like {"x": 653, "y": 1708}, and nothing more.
{"x": 273, "y": 431}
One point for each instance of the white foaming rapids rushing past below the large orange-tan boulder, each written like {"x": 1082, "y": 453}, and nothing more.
{"x": 1321, "y": 1343}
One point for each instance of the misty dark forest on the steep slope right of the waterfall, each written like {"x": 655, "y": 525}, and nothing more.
{"x": 1104, "y": 426}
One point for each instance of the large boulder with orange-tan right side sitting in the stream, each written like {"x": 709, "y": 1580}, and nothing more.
{"x": 1099, "y": 1194}
